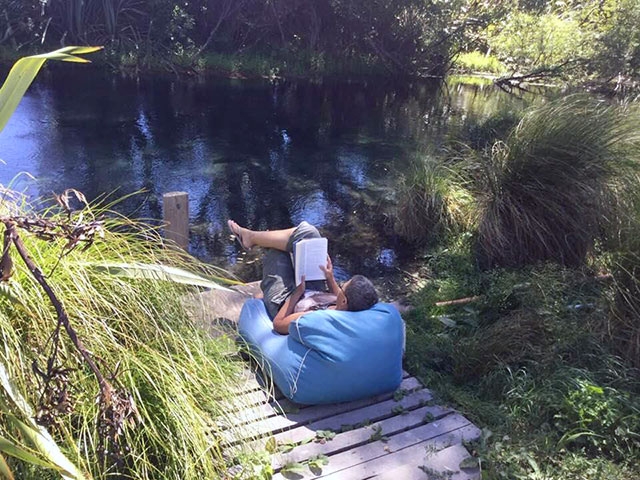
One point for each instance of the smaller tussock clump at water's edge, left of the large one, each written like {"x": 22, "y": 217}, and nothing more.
{"x": 432, "y": 202}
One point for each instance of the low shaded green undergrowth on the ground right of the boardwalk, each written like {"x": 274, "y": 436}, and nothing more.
{"x": 532, "y": 367}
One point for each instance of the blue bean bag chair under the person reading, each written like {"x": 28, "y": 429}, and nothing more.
{"x": 329, "y": 356}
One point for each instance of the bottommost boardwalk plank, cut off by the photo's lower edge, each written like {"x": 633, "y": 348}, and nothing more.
{"x": 443, "y": 464}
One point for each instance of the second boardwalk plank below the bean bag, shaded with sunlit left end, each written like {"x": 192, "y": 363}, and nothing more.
{"x": 329, "y": 415}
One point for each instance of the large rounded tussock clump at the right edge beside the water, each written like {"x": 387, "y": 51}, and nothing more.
{"x": 552, "y": 188}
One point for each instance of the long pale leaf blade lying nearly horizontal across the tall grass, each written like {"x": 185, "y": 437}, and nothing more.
{"x": 158, "y": 272}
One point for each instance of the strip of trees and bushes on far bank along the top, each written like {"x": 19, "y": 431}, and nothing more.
{"x": 408, "y": 37}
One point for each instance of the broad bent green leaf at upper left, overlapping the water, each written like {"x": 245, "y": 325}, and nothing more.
{"x": 25, "y": 70}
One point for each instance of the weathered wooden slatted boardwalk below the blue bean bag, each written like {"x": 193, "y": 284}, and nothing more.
{"x": 399, "y": 436}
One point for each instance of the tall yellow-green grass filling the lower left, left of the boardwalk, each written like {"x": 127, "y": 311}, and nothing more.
{"x": 140, "y": 335}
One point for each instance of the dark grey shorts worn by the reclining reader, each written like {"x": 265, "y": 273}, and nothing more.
{"x": 278, "y": 278}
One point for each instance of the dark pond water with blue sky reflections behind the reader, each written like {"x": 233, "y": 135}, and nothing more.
{"x": 265, "y": 154}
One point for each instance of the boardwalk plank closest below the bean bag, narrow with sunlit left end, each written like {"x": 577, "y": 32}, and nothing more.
{"x": 300, "y": 414}
